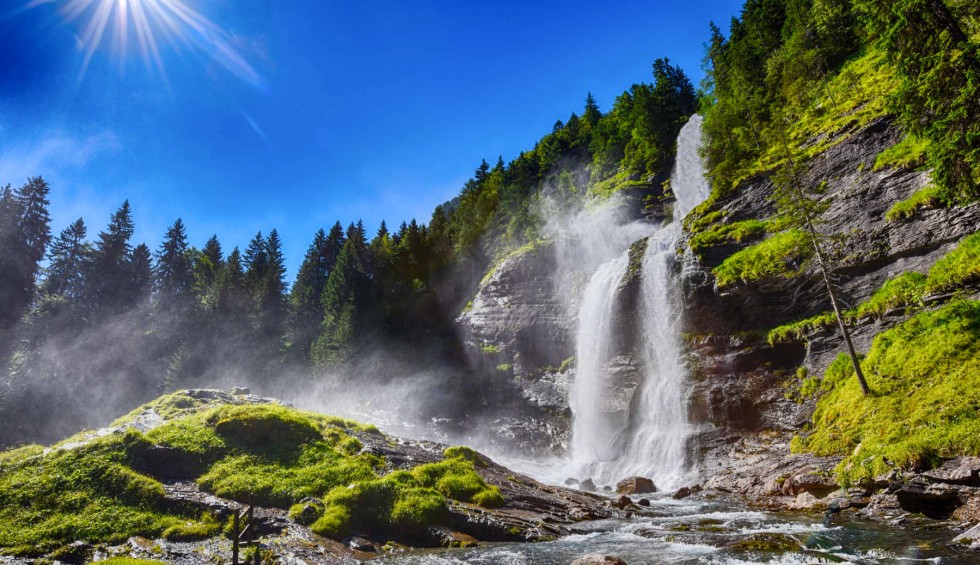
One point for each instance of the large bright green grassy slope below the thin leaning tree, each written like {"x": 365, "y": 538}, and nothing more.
{"x": 925, "y": 403}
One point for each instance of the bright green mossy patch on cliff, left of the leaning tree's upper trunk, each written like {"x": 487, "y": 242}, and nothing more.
{"x": 780, "y": 255}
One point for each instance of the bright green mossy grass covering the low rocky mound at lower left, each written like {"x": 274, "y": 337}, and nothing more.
{"x": 270, "y": 454}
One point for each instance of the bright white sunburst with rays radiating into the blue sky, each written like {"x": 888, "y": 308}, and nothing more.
{"x": 151, "y": 20}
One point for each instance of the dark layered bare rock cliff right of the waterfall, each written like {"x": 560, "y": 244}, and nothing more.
{"x": 740, "y": 382}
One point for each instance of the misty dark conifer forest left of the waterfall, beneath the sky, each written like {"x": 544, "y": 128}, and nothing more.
{"x": 94, "y": 321}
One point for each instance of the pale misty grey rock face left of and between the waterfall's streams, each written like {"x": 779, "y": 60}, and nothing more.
{"x": 520, "y": 332}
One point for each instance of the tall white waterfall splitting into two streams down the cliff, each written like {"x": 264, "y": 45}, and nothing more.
{"x": 614, "y": 434}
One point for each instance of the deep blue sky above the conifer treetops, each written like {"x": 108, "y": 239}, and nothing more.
{"x": 294, "y": 114}
